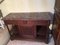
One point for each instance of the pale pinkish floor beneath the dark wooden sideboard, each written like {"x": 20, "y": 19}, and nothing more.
{"x": 24, "y": 42}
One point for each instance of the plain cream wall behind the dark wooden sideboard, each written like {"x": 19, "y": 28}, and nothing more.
{"x": 27, "y": 6}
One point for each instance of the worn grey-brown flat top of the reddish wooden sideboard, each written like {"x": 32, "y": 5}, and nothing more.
{"x": 29, "y": 16}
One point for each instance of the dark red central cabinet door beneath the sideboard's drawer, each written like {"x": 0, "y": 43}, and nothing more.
{"x": 27, "y": 31}
